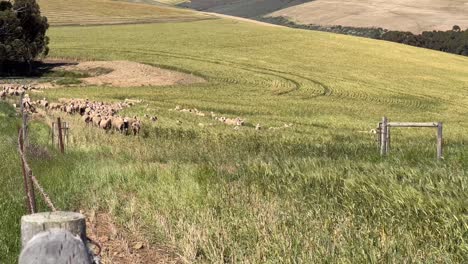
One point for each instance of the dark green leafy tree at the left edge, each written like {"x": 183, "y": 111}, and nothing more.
{"x": 22, "y": 35}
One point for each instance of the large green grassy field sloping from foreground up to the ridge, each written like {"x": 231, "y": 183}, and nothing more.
{"x": 315, "y": 192}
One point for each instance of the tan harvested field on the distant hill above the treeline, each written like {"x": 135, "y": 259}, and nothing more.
{"x": 415, "y": 16}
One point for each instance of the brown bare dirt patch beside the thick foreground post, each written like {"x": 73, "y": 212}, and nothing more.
{"x": 120, "y": 246}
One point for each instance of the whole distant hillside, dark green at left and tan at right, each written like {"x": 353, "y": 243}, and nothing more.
{"x": 415, "y": 16}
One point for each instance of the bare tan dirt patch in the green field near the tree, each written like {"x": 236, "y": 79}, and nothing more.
{"x": 128, "y": 74}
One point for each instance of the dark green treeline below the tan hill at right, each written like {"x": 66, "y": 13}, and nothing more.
{"x": 452, "y": 41}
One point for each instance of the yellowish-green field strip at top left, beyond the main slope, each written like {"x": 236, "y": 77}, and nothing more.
{"x": 92, "y": 12}
